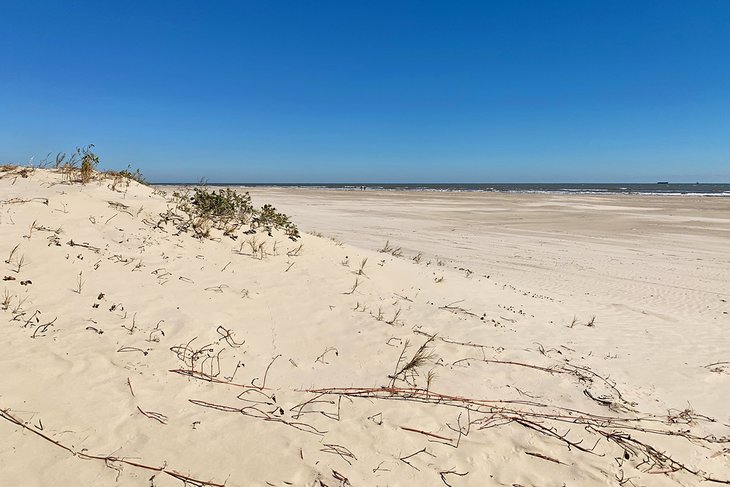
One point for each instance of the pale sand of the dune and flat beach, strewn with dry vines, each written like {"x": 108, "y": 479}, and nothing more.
{"x": 569, "y": 341}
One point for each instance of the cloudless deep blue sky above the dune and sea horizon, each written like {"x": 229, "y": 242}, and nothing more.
{"x": 368, "y": 91}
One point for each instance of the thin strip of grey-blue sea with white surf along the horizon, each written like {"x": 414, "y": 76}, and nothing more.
{"x": 696, "y": 189}
